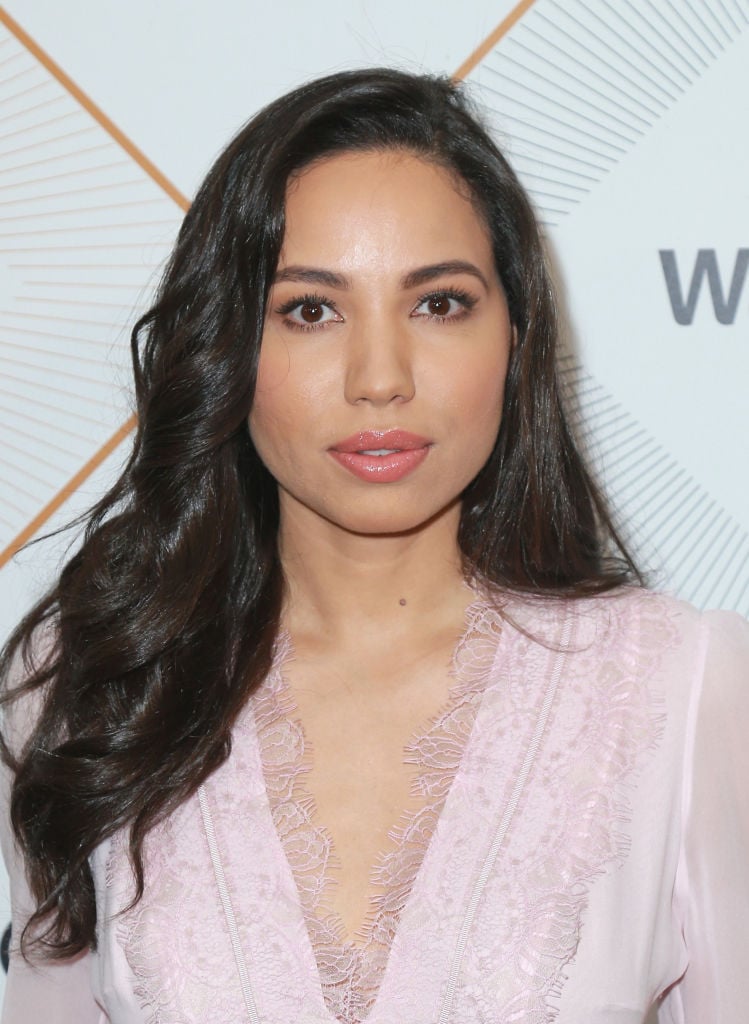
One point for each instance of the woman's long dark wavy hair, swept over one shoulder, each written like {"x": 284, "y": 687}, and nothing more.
{"x": 164, "y": 621}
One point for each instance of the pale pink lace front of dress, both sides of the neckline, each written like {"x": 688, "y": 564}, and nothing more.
{"x": 570, "y": 829}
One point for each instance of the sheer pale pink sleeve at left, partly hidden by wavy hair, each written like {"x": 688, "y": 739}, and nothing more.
{"x": 53, "y": 993}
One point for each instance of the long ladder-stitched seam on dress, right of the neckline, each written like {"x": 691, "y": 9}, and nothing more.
{"x": 505, "y": 825}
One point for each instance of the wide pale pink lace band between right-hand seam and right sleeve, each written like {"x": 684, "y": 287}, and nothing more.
{"x": 603, "y": 731}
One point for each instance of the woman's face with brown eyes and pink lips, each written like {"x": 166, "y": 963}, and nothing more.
{"x": 386, "y": 347}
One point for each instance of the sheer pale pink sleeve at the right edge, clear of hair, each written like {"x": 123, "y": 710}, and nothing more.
{"x": 714, "y": 883}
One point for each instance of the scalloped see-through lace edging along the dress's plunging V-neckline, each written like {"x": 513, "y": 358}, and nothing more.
{"x": 352, "y": 973}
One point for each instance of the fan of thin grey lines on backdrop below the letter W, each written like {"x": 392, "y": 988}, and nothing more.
{"x": 669, "y": 520}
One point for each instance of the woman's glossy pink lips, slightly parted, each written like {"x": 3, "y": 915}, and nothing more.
{"x": 407, "y": 451}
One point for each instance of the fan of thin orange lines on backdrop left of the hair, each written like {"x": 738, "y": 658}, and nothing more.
{"x": 84, "y": 231}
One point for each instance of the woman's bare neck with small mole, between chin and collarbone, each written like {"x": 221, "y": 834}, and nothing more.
{"x": 350, "y": 588}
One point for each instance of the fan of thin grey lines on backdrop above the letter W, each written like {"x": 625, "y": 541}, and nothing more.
{"x": 577, "y": 83}
